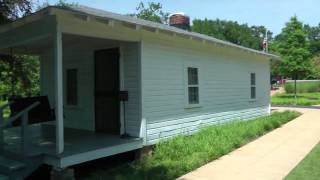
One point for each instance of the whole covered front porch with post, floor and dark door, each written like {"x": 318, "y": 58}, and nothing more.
{"x": 83, "y": 75}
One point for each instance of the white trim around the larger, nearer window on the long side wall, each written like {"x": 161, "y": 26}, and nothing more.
{"x": 186, "y": 84}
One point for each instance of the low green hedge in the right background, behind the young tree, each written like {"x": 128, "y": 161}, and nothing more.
{"x": 303, "y": 87}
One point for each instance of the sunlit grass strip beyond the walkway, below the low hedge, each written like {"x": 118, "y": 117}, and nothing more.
{"x": 303, "y": 99}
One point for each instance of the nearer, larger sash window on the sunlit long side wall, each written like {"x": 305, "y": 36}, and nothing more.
{"x": 193, "y": 86}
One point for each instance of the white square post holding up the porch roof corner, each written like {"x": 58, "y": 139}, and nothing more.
{"x": 58, "y": 92}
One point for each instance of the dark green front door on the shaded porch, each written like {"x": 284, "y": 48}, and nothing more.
{"x": 107, "y": 86}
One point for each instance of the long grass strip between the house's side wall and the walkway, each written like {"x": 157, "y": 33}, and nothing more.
{"x": 183, "y": 154}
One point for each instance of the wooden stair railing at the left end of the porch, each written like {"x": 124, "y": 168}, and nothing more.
{"x": 7, "y": 123}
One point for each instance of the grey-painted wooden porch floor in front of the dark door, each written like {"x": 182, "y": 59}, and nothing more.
{"x": 80, "y": 145}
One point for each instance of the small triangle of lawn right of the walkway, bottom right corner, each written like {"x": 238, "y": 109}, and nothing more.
{"x": 309, "y": 168}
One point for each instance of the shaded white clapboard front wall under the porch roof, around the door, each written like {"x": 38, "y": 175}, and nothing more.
{"x": 81, "y": 57}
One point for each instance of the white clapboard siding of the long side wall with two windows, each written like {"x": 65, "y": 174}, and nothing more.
{"x": 224, "y": 88}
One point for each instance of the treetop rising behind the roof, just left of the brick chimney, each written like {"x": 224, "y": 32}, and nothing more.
{"x": 152, "y": 12}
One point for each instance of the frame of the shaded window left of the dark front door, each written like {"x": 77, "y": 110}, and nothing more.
{"x": 76, "y": 86}
